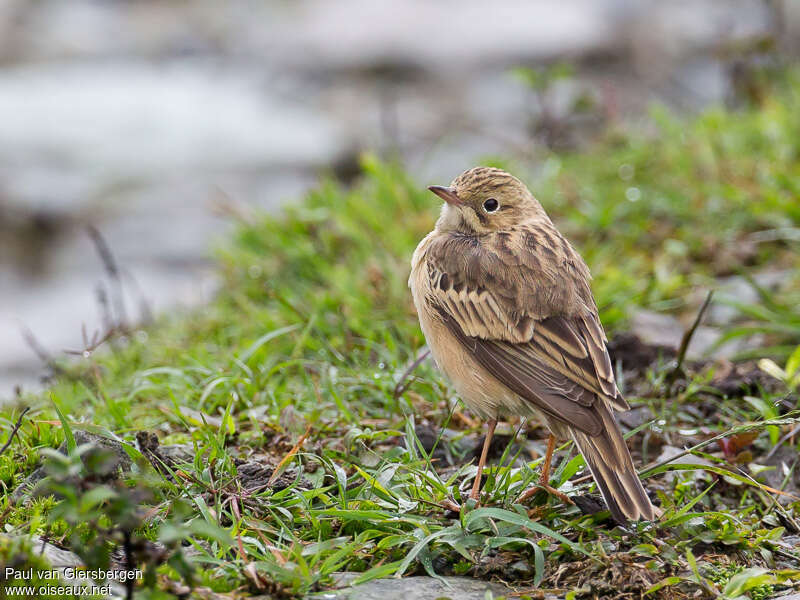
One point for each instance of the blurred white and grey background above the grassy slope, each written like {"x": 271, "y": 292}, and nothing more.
{"x": 131, "y": 131}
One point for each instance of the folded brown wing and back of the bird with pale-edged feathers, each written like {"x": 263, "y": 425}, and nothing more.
{"x": 520, "y": 303}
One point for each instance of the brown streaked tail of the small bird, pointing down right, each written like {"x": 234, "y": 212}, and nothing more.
{"x": 611, "y": 465}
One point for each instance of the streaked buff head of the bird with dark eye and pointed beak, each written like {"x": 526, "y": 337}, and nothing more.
{"x": 485, "y": 200}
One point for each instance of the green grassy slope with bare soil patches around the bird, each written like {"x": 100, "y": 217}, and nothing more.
{"x": 311, "y": 448}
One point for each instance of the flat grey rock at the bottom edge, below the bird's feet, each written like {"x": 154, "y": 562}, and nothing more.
{"x": 418, "y": 588}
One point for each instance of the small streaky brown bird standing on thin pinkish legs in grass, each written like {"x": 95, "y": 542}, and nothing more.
{"x": 505, "y": 305}
